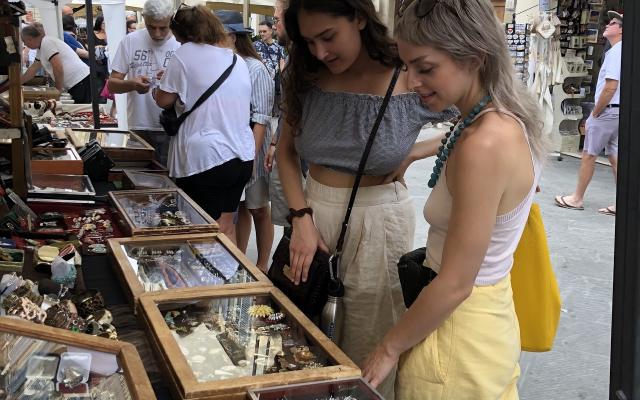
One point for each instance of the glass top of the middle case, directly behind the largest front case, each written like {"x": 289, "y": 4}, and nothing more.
{"x": 180, "y": 265}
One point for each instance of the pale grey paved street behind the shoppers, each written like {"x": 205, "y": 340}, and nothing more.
{"x": 581, "y": 245}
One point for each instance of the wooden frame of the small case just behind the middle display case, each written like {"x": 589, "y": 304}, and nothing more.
{"x": 131, "y": 230}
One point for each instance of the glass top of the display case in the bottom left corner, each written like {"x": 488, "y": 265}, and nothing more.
{"x": 38, "y": 369}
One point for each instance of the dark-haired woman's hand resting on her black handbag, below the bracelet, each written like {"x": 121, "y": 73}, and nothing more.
{"x": 305, "y": 240}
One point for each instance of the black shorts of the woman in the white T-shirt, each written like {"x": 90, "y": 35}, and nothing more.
{"x": 218, "y": 190}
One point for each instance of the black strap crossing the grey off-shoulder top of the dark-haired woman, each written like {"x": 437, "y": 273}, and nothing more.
{"x": 356, "y": 183}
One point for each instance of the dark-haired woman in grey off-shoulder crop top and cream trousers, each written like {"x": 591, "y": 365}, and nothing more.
{"x": 341, "y": 63}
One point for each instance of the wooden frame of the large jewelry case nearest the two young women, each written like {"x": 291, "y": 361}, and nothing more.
{"x": 183, "y": 383}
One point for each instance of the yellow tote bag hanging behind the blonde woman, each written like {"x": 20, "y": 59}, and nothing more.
{"x": 535, "y": 290}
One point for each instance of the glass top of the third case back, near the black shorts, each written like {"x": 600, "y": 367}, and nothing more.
{"x": 152, "y": 210}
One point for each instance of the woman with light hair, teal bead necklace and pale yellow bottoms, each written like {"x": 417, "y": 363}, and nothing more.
{"x": 460, "y": 338}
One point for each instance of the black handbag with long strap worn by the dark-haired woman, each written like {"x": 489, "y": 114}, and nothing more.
{"x": 323, "y": 277}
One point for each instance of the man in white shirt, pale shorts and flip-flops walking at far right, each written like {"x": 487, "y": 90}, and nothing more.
{"x": 602, "y": 124}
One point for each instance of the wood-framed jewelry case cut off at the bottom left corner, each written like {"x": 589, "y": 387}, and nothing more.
{"x": 41, "y": 362}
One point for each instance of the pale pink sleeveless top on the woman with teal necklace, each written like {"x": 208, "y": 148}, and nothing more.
{"x": 506, "y": 234}
